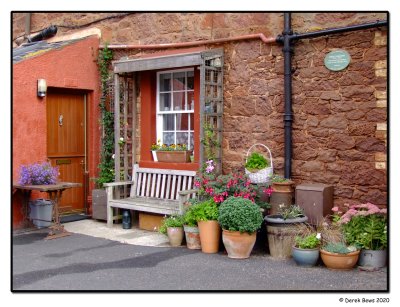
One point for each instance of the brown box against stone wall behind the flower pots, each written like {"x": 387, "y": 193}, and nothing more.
{"x": 316, "y": 199}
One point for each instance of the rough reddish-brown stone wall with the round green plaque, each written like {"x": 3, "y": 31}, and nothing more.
{"x": 339, "y": 128}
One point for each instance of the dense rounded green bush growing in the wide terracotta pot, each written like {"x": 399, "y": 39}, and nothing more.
{"x": 239, "y": 214}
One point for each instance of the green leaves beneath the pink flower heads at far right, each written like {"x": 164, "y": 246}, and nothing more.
{"x": 367, "y": 232}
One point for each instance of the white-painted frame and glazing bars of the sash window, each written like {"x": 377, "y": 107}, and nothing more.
{"x": 159, "y": 116}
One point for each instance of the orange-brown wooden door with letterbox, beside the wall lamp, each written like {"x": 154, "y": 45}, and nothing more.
{"x": 66, "y": 145}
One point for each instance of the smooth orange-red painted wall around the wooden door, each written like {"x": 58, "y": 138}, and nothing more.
{"x": 76, "y": 62}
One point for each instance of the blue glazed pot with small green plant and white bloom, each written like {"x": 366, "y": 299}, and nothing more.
{"x": 305, "y": 250}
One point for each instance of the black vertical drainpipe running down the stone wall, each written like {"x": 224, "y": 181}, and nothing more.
{"x": 288, "y": 116}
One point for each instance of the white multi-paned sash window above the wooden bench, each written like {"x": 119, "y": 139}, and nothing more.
{"x": 175, "y": 107}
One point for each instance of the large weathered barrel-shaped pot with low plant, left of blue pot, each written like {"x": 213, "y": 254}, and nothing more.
{"x": 282, "y": 229}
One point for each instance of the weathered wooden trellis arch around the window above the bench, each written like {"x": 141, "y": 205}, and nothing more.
{"x": 210, "y": 63}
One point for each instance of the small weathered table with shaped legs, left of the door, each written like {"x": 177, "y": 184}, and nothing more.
{"x": 55, "y": 192}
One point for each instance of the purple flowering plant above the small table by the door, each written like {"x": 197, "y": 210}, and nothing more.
{"x": 38, "y": 173}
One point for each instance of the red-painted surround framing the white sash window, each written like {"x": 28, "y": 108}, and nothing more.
{"x": 148, "y": 90}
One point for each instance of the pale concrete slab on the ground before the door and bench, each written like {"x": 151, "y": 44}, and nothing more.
{"x": 133, "y": 236}
